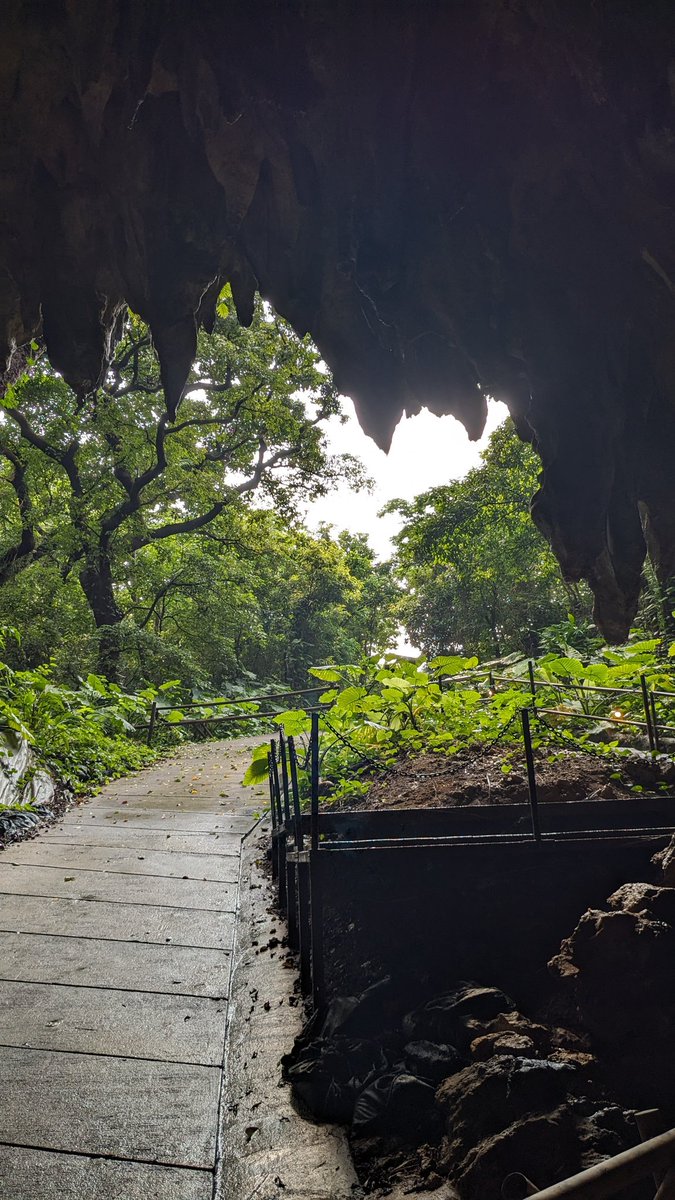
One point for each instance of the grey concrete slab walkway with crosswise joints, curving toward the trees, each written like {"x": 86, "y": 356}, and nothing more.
{"x": 117, "y": 934}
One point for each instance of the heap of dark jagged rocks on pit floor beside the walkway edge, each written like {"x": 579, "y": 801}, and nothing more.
{"x": 483, "y": 1093}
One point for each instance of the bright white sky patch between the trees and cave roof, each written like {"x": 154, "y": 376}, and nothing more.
{"x": 427, "y": 452}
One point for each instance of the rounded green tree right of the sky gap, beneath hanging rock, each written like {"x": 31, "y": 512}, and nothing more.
{"x": 480, "y": 577}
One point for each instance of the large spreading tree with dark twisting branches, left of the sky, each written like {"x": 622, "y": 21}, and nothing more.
{"x": 92, "y": 483}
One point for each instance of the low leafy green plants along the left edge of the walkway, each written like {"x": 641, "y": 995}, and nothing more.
{"x": 83, "y": 736}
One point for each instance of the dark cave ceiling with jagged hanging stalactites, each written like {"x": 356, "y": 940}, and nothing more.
{"x": 456, "y": 199}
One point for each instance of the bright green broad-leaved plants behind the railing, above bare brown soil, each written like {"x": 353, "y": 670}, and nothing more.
{"x": 387, "y": 707}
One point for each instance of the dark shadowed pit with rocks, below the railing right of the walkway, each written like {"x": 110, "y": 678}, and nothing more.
{"x": 468, "y": 1034}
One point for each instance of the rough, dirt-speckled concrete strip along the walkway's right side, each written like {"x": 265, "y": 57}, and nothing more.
{"x": 266, "y": 1149}
